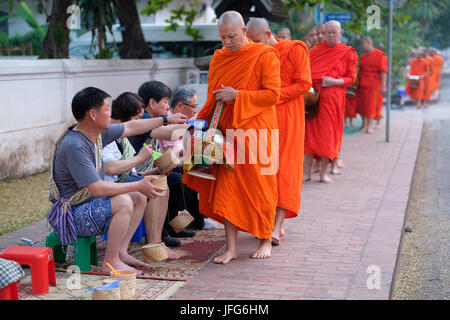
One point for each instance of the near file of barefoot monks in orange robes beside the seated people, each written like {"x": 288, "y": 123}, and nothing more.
{"x": 261, "y": 80}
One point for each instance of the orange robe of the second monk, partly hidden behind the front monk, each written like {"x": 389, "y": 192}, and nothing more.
{"x": 295, "y": 81}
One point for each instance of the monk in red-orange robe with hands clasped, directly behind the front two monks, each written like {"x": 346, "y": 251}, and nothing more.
{"x": 333, "y": 68}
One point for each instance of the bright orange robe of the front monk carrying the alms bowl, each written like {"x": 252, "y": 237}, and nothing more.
{"x": 247, "y": 196}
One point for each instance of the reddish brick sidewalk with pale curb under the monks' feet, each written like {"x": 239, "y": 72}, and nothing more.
{"x": 344, "y": 243}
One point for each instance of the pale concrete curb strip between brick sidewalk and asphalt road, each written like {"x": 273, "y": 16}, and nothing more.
{"x": 383, "y": 244}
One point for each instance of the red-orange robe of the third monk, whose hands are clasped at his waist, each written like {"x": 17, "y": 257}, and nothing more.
{"x": 323, "y": 135}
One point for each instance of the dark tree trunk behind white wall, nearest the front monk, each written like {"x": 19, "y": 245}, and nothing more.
{"x": 133, "y": 45}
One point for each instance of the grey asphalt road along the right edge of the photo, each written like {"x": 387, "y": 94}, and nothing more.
{"x": 422, "y": 271}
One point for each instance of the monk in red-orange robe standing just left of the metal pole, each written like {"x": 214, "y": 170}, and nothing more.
{"x": 372, "y": 79}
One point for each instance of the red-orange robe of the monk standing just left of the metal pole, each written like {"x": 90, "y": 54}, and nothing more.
{"x": 370, "y": 66}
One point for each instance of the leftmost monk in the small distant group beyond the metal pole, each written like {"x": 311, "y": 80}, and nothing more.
{"x": 417, "y": 67}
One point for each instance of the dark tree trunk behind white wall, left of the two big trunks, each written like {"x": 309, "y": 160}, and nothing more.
{"x": 56, "y": 41}
